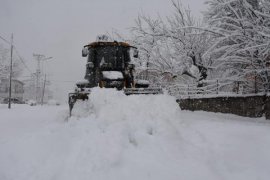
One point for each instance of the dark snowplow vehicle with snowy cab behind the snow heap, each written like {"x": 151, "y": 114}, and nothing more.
{"x": 109, "y": 66}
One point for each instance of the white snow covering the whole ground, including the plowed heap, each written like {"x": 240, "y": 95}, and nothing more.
{"x": 114, "y": 136}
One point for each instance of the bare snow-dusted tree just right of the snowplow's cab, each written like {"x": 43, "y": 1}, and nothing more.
{"x": 174, "y": 47}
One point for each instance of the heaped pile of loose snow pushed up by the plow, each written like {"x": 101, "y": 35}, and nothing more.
{"x": 149, "y": 113}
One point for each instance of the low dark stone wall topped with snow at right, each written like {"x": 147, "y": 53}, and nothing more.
{"x": 250, "y": 106}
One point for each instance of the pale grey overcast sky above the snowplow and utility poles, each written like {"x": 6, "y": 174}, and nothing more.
{"x": 60, "y": 28}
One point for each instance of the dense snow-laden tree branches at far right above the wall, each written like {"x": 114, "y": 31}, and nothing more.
{"x": 242, "y": 33}
